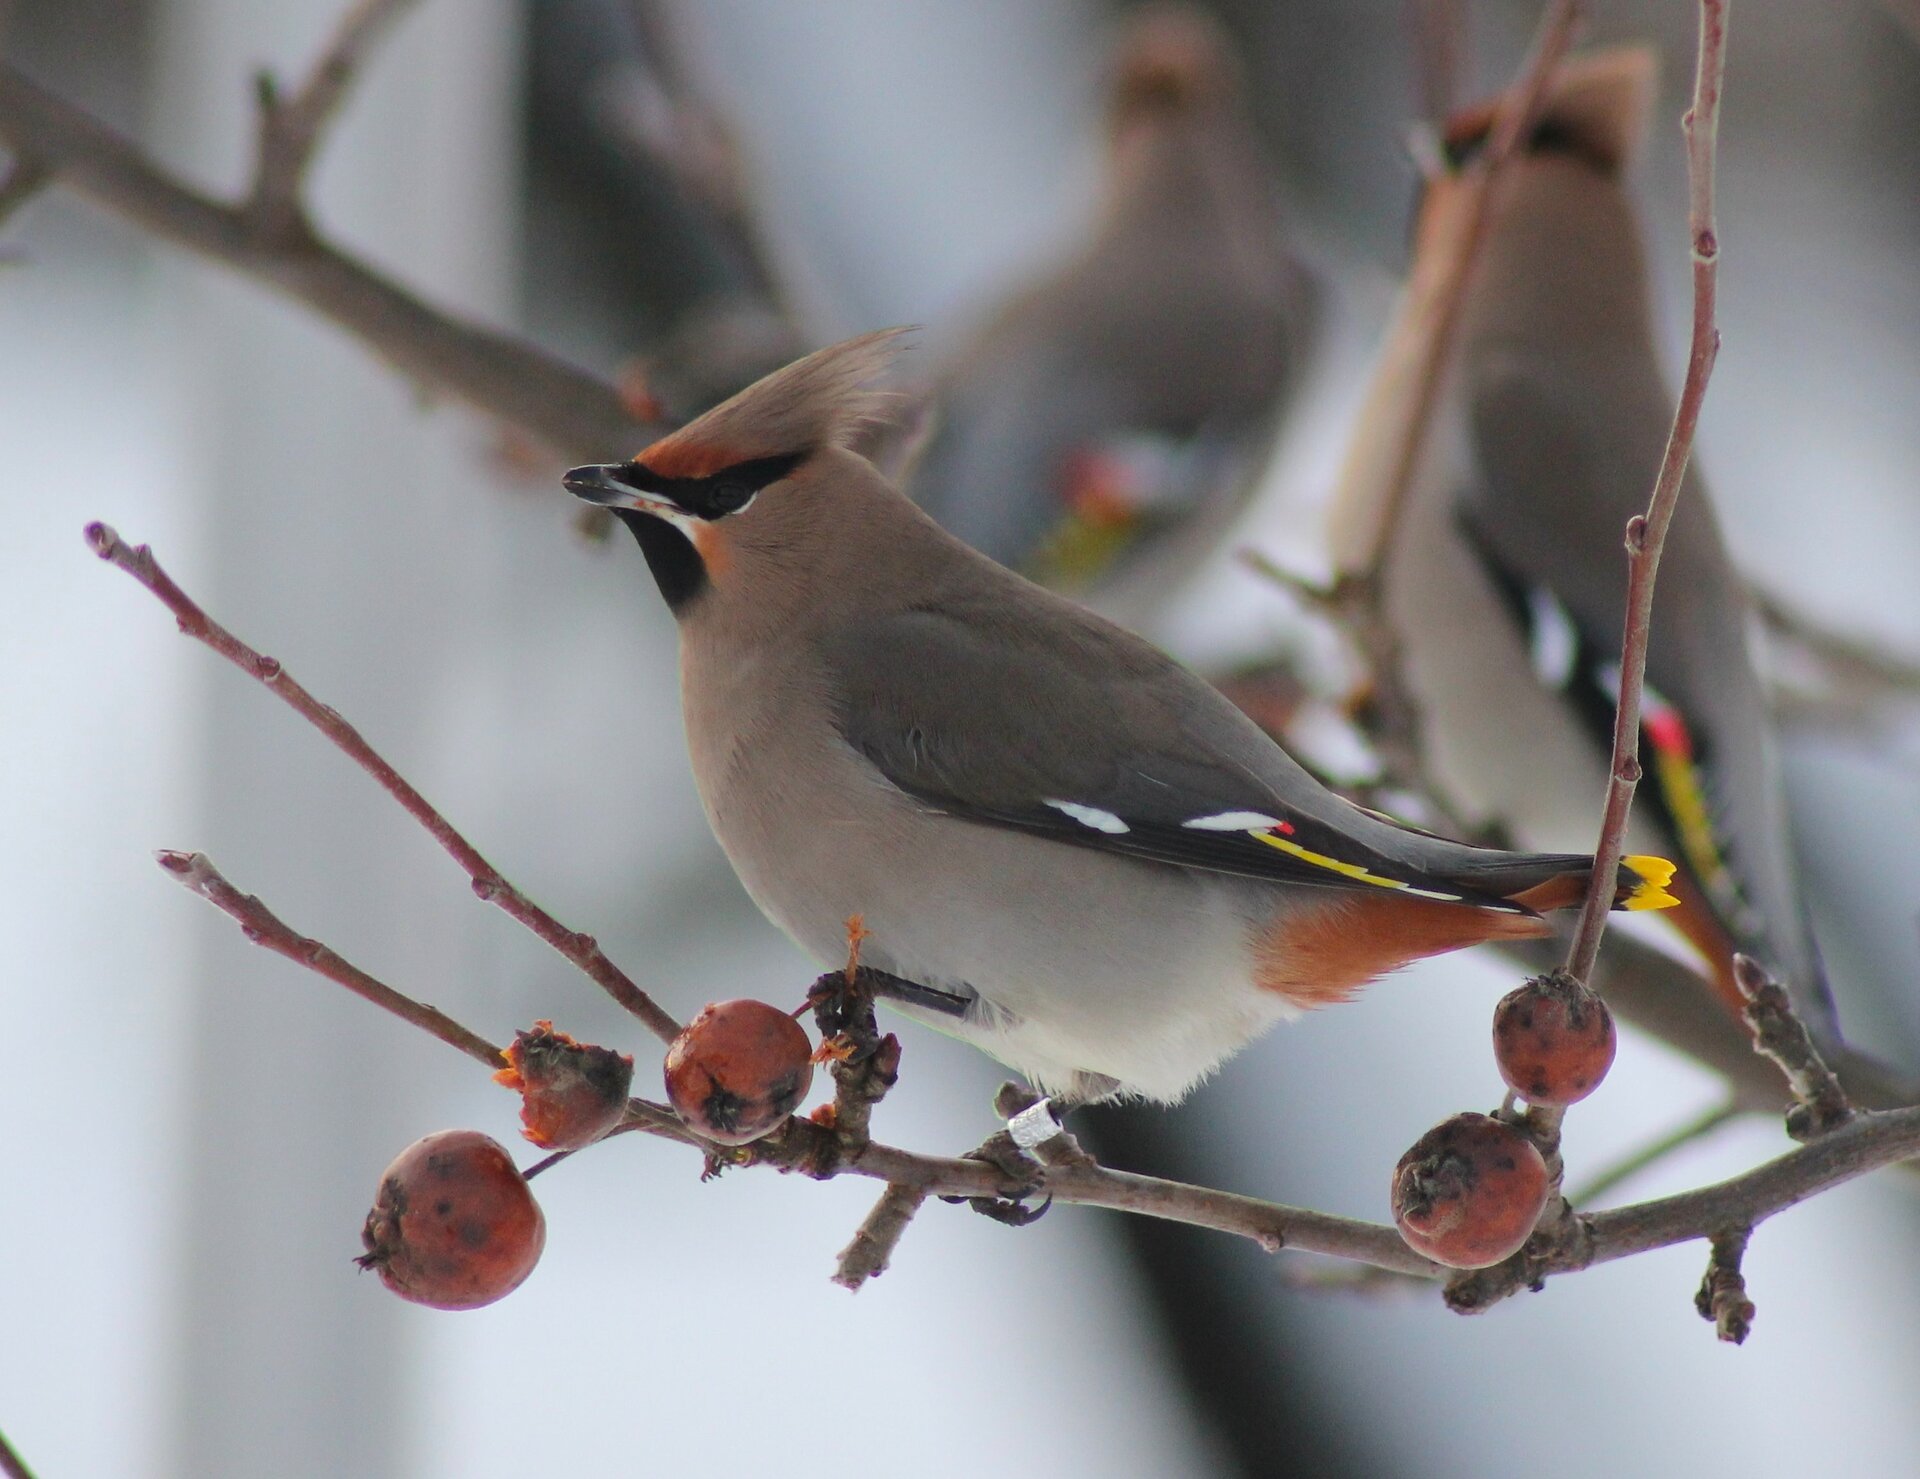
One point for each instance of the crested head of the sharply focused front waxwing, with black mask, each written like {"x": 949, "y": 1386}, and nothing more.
{"x": 725, "y": 491}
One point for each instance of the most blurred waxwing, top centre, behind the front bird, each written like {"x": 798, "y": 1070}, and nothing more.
{"x": 1101, "y": 429}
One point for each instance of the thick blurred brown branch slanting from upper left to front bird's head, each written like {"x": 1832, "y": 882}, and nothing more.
{"x": 504, "y": 377}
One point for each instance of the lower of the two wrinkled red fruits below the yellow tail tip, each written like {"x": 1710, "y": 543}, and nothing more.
{"x": 1470, "y": 1192}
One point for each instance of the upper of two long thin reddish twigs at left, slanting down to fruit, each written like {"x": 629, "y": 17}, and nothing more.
{"x": 487, "y": 881}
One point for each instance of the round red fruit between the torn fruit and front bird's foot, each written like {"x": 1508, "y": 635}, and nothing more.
{"x": 738, "y": 1071}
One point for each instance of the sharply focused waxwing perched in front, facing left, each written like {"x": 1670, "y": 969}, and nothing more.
{"x": 1082, "y": 858}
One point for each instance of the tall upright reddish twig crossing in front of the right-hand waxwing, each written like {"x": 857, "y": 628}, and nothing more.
{"x": 1646, "y": 535}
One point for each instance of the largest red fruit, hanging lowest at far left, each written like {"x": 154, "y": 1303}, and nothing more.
{"x": 454, "y": 1224}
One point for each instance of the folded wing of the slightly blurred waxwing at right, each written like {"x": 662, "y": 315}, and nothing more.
{"x": 1558, "y": 481}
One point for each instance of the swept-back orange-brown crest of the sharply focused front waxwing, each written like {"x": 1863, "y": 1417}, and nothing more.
{"x": 811, "y": 404}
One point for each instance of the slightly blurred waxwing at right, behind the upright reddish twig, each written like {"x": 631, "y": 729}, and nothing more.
{"x": 1502, "y": 571}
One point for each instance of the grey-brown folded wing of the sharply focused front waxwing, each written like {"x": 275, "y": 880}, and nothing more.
{"x": 1097, "y": 740}
